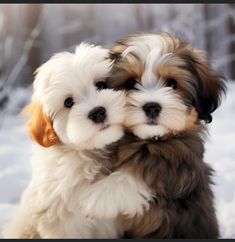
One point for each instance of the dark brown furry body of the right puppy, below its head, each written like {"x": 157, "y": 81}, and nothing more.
{"x": 174, "y": 170}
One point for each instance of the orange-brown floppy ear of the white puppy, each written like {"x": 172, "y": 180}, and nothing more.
{"x": 40, "y": 125}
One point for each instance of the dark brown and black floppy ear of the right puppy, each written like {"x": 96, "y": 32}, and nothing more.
{"x": 210, "y": 88}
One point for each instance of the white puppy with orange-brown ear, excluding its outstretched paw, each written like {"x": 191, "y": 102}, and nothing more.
{"x": 73, "y": 117}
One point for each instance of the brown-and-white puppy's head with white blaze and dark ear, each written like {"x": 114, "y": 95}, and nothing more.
{"x": 170, "y": 86}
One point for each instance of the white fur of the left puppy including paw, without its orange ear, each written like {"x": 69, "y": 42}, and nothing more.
{"x": 63, "y": 173}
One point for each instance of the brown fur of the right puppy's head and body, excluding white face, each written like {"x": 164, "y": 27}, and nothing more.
{"x": 172, "y": 166}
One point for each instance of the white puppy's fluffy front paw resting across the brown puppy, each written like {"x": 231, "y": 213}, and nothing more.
{"x": 117, "y": 193}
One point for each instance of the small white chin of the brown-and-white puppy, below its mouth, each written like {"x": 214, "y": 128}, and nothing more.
{"x": 145, "y": 131}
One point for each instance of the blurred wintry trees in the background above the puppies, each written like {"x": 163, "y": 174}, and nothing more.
{"x": 30, "y": 34}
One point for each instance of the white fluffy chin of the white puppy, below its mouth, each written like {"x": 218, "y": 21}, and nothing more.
{"x": 103, "y": 137}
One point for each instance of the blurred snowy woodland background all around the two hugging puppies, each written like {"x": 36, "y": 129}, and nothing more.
{"x": 31, "y": 33}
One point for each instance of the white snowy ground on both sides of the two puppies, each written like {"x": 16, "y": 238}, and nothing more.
{"x": 15, "y": 169}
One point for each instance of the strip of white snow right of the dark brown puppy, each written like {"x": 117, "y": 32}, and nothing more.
{"x": 220, "y": 153}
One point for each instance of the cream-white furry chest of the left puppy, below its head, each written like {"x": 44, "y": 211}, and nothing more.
{"x": 59, "y": 177}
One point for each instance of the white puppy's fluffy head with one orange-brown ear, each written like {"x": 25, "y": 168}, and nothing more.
{"x": 71, "y": 104}
